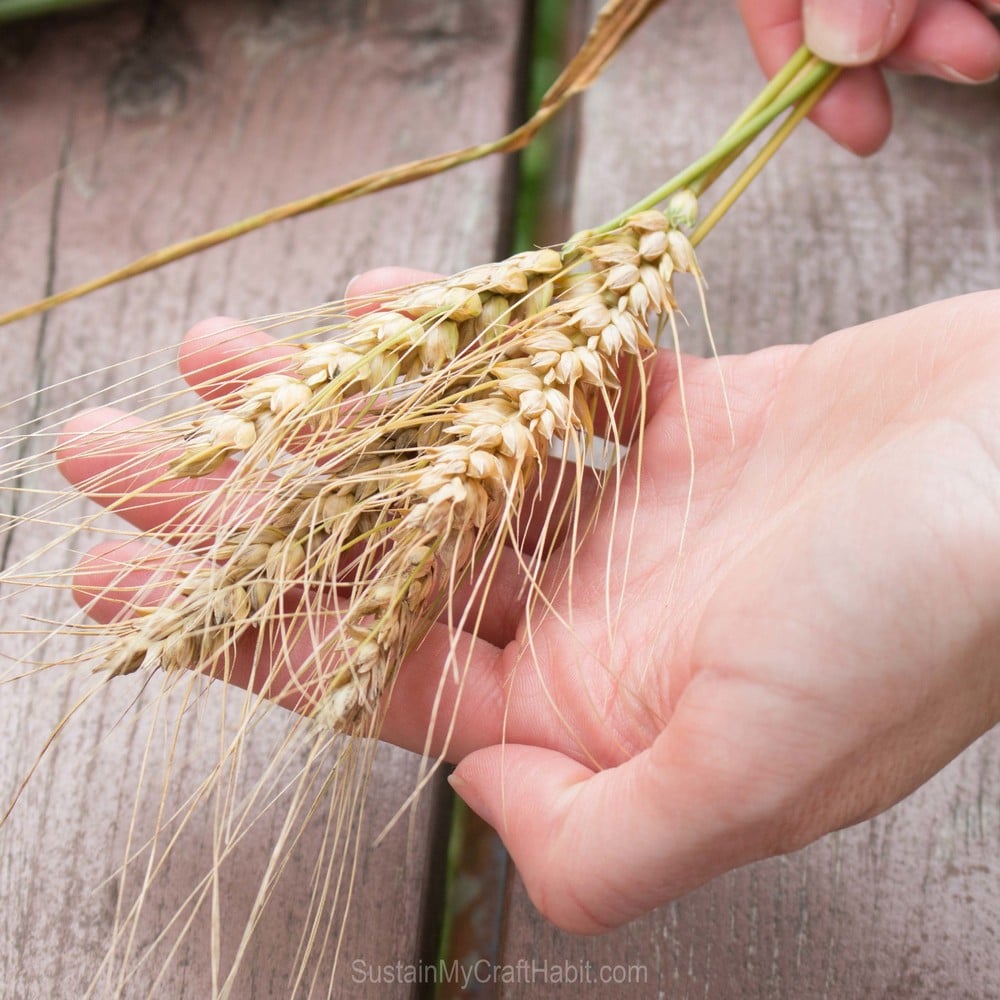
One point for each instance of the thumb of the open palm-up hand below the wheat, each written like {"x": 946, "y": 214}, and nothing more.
{"x": 598, "y": 849}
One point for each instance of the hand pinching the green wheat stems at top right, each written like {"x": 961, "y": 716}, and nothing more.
{"x": 951, "y": 39}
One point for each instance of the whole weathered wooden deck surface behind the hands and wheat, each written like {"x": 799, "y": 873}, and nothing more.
{"x": 130, "y": 127}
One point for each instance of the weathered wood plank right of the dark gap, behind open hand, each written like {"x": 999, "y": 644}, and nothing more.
{"x": 905, "y": 905}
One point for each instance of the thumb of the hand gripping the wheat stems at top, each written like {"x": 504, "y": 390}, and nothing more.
{"x": 854, "y": 32}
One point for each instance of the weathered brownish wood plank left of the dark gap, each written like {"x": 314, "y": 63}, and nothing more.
{"x": 120, "y": 132}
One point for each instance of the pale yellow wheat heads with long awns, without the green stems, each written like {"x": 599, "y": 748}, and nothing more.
{"x": 323, "y": 514}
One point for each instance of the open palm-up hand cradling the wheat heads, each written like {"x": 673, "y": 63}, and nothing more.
{"x": 825, "y": 642}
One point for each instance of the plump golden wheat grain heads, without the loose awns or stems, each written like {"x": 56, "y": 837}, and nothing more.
{"x": 385, "y": 460}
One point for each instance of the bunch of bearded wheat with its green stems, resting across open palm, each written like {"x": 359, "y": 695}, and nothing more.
{"x": 339, "y": 501}
